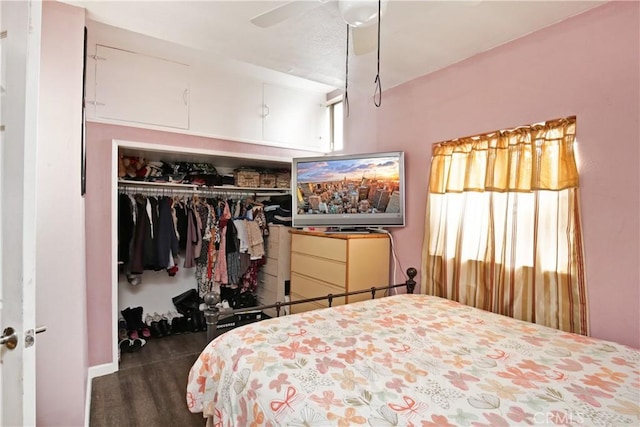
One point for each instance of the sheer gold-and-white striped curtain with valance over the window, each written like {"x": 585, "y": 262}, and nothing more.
{"x": 503, "y": 230}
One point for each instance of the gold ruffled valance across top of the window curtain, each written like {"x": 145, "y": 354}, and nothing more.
{"x": 525, "y": 159}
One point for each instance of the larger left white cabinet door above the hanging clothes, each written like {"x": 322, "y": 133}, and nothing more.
{"x": 142, "y": 89}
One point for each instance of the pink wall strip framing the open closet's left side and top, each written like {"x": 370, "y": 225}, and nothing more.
{"x": 98, "y": 215}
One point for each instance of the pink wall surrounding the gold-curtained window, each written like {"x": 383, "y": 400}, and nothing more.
{"x": 586, "y": 66}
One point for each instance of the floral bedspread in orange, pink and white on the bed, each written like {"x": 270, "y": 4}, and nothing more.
{"x": 412, "y": 360}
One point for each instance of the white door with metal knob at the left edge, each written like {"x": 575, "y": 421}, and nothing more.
{"x": 21, "y": 28}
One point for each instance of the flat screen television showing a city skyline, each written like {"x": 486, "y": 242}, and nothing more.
{"x": 349, "y": 192}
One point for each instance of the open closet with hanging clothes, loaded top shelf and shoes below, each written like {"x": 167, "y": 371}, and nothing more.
{"x": 173, "y": 242}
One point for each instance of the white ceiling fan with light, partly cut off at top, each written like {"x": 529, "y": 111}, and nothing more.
{"x": 359, "y": 14}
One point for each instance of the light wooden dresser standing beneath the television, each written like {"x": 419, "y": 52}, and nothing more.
{"x": 336, "y": 263}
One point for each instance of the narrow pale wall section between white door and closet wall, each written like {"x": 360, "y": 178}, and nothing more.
{"x": 61, "y": 360}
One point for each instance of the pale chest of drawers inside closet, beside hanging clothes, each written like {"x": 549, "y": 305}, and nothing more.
{"x": 275, "y": 271}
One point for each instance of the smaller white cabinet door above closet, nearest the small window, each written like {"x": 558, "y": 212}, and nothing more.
{"x": 294, "y": 117}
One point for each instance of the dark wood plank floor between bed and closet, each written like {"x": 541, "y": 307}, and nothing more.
{"x": 150, "y": 387}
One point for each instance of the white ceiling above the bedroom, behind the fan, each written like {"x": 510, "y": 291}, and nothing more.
{"x": 417, "y": 37}
